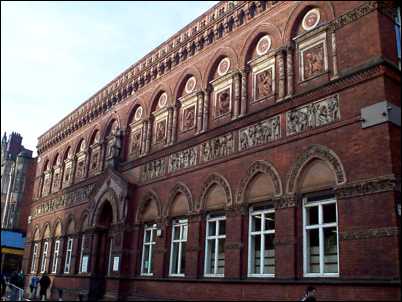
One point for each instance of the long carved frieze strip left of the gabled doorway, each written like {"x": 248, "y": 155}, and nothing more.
{"x": 65, "y": 200}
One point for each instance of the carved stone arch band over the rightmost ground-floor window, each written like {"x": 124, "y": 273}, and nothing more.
{"x": 315, "y": 152}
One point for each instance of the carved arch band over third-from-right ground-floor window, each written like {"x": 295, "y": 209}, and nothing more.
{"x": 212, "y": 180}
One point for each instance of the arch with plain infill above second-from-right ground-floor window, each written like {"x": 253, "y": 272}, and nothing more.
{"x": 253, "y": 177}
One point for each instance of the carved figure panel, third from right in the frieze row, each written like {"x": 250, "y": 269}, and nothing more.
{"x": 218, "y": 147}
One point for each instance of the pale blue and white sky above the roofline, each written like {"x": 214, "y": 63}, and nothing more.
{"x": 55, "y": 55}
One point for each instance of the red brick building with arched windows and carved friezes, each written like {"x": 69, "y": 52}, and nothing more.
{"x": 254, "y": 153}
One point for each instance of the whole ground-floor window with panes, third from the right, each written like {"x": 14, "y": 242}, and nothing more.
{"x": 215, "y": 247}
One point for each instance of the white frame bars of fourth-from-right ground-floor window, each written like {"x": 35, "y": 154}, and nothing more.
{"x": 183, "y": 232}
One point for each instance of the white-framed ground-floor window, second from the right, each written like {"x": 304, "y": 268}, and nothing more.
{"x": 261, "y": 256}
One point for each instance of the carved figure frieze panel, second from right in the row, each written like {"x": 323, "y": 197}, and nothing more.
{"x": 260, "y": 133}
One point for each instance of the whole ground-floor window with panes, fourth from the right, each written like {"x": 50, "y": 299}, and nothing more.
{"x": 178, "y": 248}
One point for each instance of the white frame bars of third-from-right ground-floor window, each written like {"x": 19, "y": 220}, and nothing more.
{"x": 216, "y": 239}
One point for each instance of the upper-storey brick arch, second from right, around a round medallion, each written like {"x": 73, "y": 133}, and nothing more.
{"x": 257, "y": 32}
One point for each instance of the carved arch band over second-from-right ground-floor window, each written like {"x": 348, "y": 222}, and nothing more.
{"x": 260, "y": 167}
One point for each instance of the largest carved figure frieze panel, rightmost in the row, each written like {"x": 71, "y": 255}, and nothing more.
{"x": 313, "y": 115}
